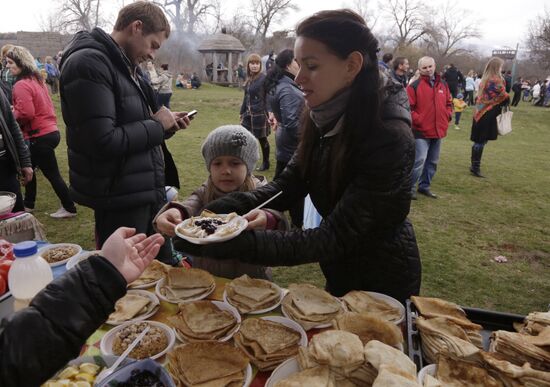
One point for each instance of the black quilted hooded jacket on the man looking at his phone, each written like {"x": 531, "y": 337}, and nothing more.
{"x": 114, "y": 146}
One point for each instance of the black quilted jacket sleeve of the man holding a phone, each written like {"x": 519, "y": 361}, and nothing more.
{"x": 93, "y": 113}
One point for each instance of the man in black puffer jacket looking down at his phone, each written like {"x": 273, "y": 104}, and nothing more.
{"x": 115, "y": 134}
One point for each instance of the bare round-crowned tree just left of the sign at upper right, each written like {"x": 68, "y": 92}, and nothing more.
{"x": 451, "y": 27}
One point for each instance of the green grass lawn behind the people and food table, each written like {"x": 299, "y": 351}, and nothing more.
{"x": 459, "y": 234}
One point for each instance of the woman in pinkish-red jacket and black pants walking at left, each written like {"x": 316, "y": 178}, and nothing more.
{"x": 33, "y": 110}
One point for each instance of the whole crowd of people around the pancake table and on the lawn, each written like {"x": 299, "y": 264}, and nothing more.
{"x": 360, "y": 136}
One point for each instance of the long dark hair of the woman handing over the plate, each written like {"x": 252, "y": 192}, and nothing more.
{"x": 362, "y": 112}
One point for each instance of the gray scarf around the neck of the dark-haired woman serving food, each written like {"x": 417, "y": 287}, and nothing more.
{"x": 330, "y": 111}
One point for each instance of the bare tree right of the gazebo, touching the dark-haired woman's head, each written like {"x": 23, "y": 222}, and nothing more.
{"x": 265, "y": 13}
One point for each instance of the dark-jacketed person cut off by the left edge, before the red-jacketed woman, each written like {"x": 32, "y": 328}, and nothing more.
{"x": 15, "y": 158}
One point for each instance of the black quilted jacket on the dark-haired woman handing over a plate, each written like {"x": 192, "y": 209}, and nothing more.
{"x": 365, "y": 240}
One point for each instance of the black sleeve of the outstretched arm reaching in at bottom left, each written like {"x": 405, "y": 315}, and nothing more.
{"x": 39, "y": 340}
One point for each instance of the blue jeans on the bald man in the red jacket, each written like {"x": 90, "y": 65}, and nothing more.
{"x": 425, "y": 162}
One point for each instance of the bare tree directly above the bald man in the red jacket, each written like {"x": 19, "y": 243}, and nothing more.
{"x": 408, "y": 20}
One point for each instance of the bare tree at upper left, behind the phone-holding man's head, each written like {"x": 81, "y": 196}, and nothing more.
{"x": 76, "y": 15}
